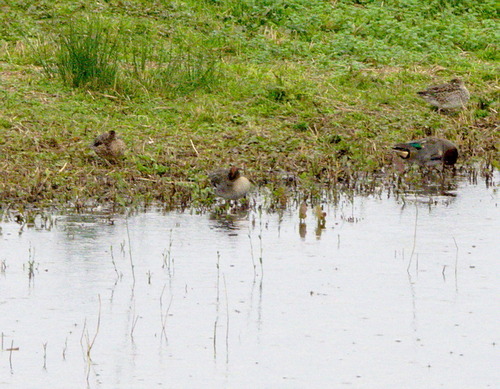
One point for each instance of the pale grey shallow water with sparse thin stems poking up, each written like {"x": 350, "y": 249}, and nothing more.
{"x": 389, "y": 294}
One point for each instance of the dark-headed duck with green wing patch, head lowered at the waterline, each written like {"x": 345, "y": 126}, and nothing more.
{"x": 428, "y": 151}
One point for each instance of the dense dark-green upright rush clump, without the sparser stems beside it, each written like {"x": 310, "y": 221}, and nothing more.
{"x": 88, "y": 56}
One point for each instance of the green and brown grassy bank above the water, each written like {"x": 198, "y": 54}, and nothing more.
{"x": 300, "y": 91}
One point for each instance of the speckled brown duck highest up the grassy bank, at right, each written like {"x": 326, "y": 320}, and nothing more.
{"x": 452, "y": 95}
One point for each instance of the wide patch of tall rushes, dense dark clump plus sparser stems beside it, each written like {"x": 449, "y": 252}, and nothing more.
{"x": 90, "y": 55}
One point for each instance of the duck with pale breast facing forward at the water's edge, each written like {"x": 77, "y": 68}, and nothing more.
{"x": 229, "y": 183}
